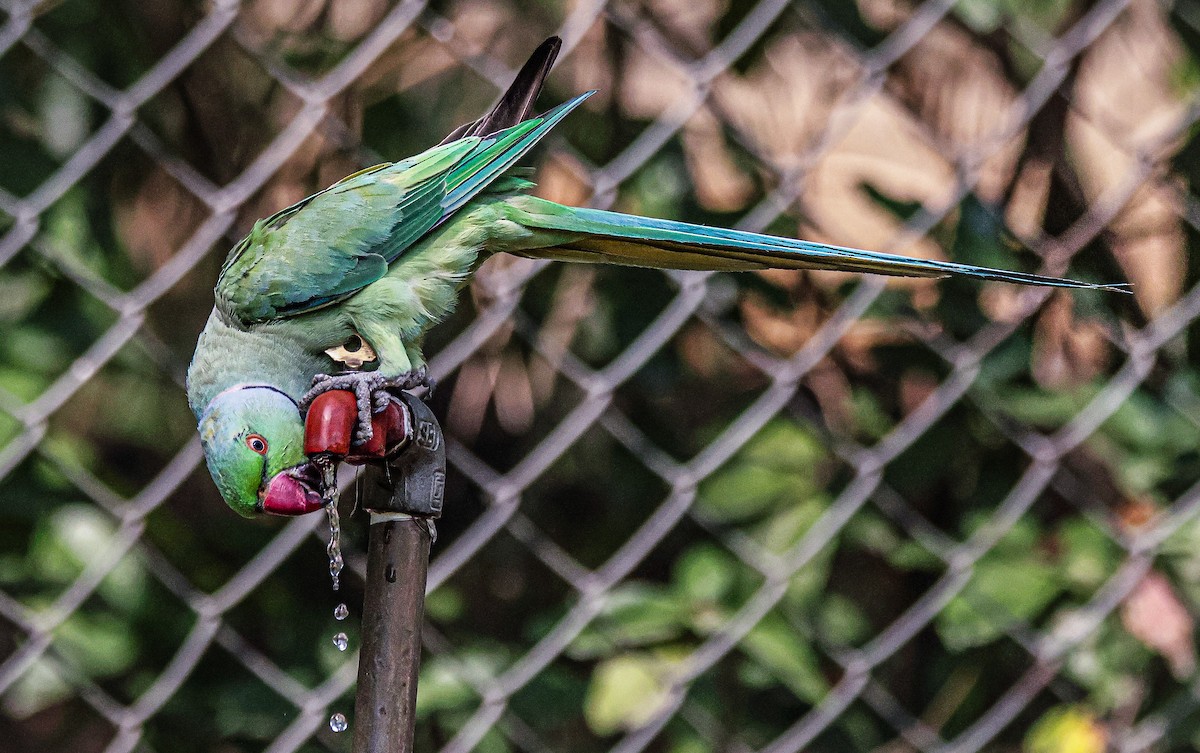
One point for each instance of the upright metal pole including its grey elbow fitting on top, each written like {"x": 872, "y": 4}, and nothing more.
{"x": 403, "y": 505}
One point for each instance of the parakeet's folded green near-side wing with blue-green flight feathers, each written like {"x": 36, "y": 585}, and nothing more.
{"x": 335, "y": 243}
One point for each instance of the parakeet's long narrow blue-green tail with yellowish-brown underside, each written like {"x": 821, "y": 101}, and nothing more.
{"x": 575, "y": 234}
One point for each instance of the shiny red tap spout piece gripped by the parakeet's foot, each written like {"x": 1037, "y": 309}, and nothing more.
{"x": 329, "y": 429}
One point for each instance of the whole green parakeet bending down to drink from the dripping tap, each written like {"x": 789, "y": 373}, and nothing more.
{"x": 382, "y": 256}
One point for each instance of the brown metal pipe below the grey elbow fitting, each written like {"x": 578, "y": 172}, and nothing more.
{"x": 393, "y": 611}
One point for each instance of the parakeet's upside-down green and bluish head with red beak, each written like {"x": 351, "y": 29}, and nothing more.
{"x": 254, "y": 444}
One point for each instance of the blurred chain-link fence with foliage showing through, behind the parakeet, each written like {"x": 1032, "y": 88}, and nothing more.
{"x": 771, "y": 513}
